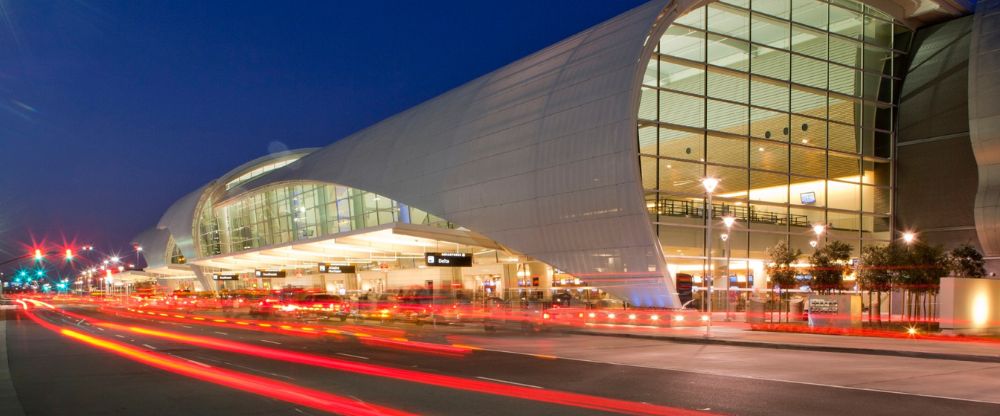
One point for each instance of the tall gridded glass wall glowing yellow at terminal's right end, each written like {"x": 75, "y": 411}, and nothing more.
{"x": 790, "y": 104}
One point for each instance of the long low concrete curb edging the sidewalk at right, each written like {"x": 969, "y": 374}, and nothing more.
{"x": 799, "y": 347}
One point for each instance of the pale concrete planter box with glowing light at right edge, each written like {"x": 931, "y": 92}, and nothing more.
{"x": 969, "y": 305}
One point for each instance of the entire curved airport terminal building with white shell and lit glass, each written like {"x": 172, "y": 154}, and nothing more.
{"x": 579, "y": 168}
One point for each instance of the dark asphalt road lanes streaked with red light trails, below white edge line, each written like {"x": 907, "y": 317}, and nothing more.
{"x": 54, "y": 375}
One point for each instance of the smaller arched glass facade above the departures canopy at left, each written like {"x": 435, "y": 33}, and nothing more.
{"x": 296, "y": 212}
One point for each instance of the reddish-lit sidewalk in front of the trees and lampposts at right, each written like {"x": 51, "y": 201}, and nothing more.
{"x": 740, "y": 334}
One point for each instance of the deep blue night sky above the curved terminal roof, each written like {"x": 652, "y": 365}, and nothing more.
{"x": 110, "y": 111}
